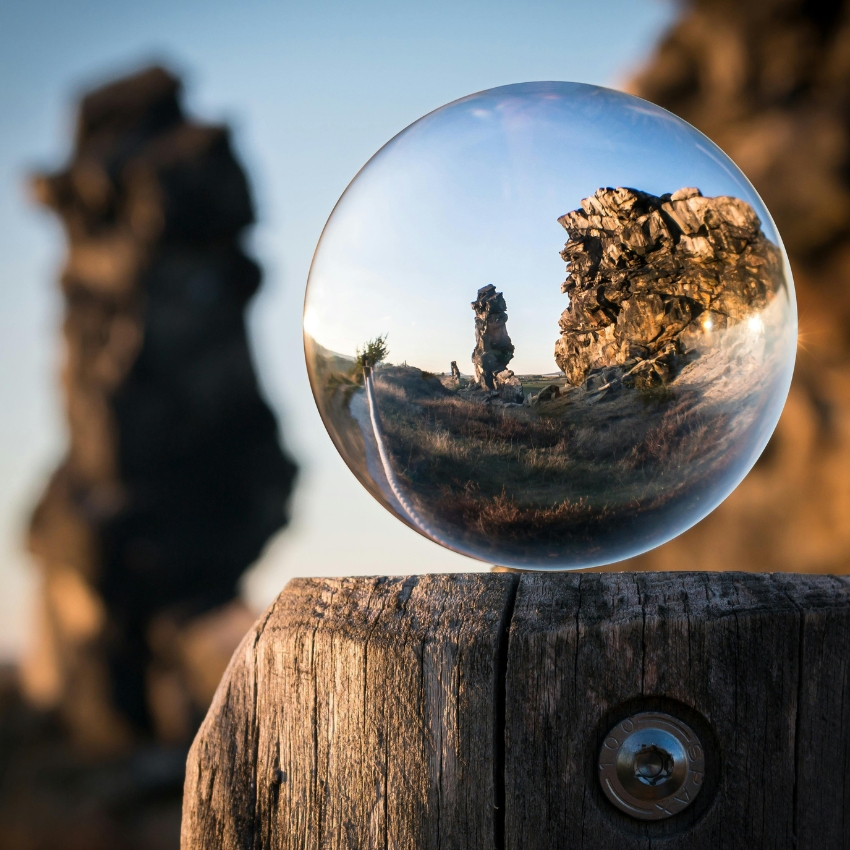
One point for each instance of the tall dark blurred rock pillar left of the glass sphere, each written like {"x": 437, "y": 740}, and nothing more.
{"x": 174, "y": 479}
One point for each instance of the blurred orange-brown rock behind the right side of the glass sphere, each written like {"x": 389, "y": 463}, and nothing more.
{"x": 770, "y": 83}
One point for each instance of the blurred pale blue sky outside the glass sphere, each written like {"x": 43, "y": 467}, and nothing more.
{"x": 311, "y": 90}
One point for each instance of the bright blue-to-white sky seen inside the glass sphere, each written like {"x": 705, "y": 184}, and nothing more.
{"x": 469, "y": 196}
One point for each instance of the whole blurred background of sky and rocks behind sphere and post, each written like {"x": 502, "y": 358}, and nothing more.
{"x": 165, "y": 173}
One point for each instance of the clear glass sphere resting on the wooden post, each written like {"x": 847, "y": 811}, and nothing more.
{"x": 533, "y": 370}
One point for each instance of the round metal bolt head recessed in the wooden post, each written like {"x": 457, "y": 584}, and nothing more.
{"x": 651, "y": 766}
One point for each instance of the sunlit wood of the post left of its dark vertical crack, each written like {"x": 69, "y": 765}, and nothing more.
{"x": 369, "y": 720}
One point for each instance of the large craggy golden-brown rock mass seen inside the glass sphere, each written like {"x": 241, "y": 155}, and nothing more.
{"x": 652, "y": 280}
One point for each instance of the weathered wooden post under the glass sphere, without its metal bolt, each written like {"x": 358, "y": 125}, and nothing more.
{"x": 467, "y": 711}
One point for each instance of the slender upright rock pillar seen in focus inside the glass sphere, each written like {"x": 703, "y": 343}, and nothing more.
{"x": 493, "y": 347}
